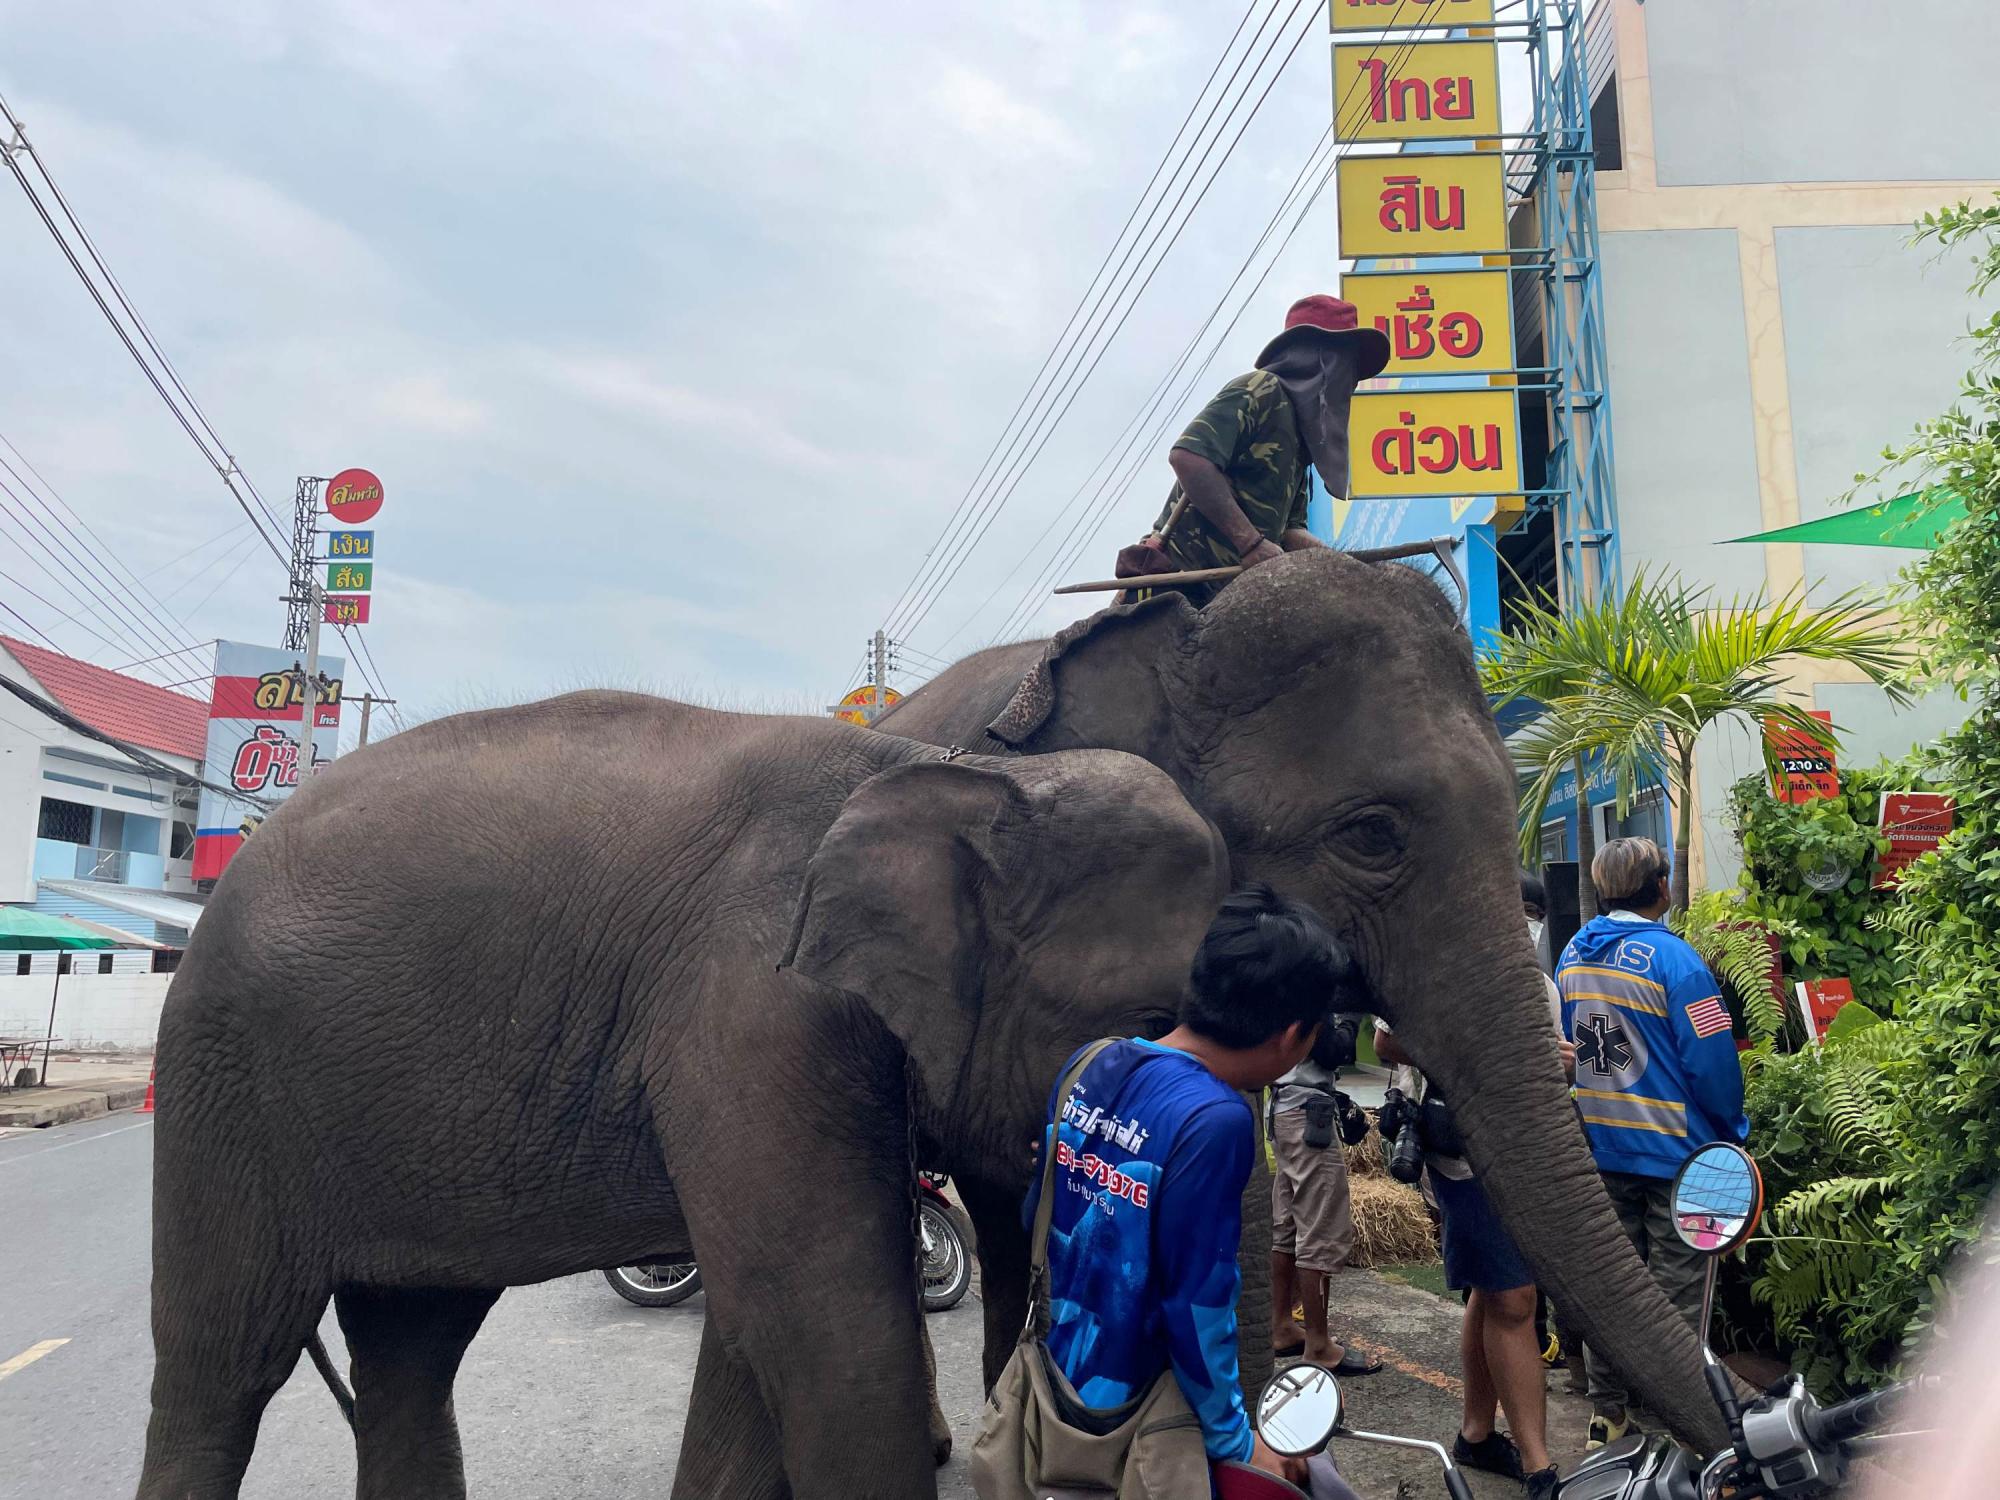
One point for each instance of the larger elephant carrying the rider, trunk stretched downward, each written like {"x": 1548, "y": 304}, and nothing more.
{"x": 1327, "y": 717}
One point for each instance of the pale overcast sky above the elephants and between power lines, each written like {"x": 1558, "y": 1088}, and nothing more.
{"x": 673, "y": 331}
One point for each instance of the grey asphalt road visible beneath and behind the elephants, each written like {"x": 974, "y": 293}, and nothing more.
{"x": 567, "y": 1393}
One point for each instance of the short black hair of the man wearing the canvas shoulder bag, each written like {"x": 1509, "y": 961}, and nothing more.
{"x": 1265, "y": 965}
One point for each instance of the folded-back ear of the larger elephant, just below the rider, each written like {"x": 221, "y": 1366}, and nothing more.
{"x": 1103, "y": 681}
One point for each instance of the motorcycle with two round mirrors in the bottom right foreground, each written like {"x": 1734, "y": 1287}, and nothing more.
{"x": 1783, "y": 1445}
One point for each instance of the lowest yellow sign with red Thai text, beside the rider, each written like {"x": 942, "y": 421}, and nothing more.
{"x": 1409, "y": 443}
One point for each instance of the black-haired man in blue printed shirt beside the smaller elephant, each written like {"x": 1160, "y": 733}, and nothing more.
{"x": 1153, "y": 1153}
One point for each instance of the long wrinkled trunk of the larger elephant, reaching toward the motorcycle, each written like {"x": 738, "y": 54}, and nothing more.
{"x": 1503, "y": 1079}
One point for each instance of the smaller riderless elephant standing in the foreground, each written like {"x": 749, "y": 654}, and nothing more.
{"x": 547, "y": 989}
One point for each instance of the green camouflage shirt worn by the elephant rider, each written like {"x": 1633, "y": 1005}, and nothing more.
{"x": 1251, "y": 435}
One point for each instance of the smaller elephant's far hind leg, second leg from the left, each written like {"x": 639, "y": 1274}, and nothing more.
{"x": 407, "y": 1347}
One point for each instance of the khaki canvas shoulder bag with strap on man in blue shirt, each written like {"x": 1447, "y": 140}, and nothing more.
{"x": 1041, "y": 1443}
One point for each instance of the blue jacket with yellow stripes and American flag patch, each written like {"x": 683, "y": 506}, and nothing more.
{"x": 1657, "y": 1073}
